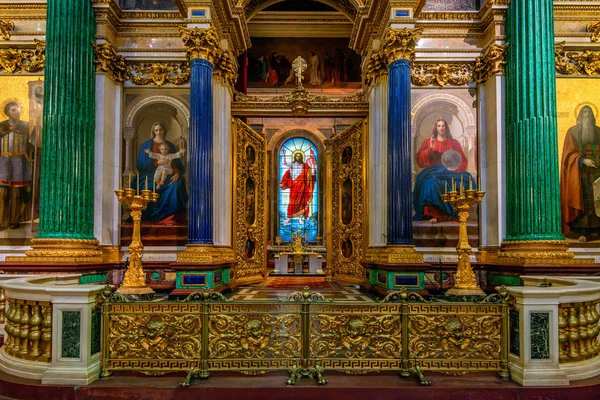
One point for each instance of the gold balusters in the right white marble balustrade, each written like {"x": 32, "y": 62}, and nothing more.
{"x": 578, "y": 331}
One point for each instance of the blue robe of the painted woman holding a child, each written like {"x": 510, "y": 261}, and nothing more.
{"x": 173, "y": 196}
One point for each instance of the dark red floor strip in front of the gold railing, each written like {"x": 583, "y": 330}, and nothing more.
{"x": 271, "y": 386}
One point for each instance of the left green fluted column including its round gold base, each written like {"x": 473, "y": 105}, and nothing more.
{"x": 67, "y": 161}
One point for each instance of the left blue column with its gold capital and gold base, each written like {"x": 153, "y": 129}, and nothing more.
{"x": 204, "y": 51}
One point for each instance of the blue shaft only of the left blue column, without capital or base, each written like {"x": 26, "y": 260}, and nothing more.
{"x": 200, "y": 175}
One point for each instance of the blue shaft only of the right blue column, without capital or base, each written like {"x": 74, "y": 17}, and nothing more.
{"x": 399, "y": 154}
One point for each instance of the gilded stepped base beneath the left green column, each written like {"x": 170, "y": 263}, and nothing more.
{"x": 61, "y": 251}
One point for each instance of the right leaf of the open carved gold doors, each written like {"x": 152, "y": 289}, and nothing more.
{"x": 347, "y": 267}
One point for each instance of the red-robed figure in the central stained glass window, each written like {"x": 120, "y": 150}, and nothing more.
{"x": 300, "y": 179}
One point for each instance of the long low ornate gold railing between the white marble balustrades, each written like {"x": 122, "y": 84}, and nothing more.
{"x": 304, "y": 334}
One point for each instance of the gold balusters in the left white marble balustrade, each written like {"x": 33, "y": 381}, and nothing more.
{"x": 28, "y": 330}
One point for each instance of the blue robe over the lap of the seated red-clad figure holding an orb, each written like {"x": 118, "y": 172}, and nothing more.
{"x": 431, "y": 183}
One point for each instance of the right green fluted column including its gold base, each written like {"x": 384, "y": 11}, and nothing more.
{"x": 533, "y": 192}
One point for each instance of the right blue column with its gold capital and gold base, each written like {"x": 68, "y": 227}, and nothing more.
{"x": 398, "y": 48}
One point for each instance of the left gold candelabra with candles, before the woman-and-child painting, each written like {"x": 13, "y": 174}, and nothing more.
{"x": 134, "y": 281}
